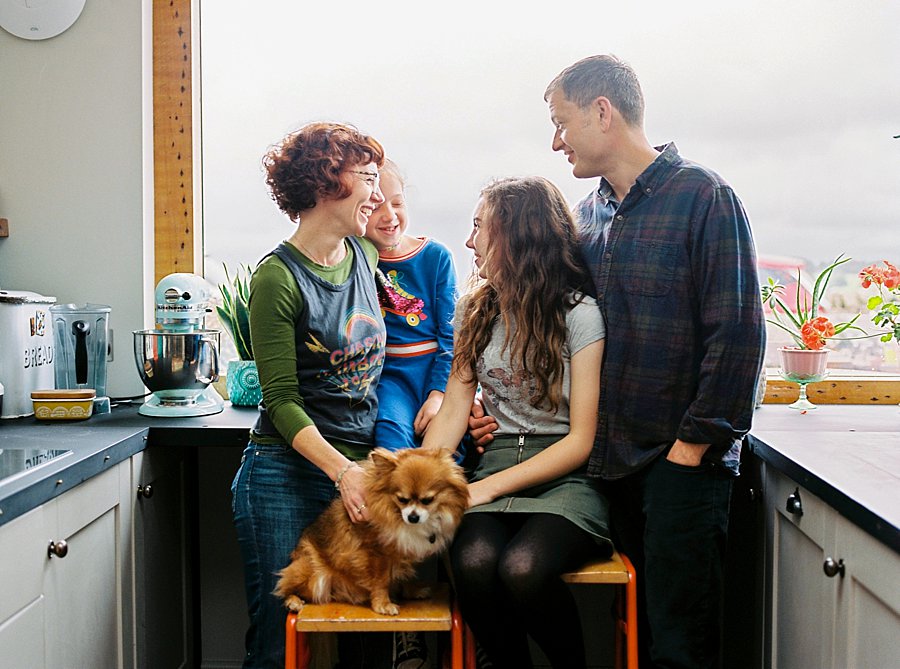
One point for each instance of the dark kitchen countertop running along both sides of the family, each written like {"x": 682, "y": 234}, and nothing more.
{"x": 848, "y": 455}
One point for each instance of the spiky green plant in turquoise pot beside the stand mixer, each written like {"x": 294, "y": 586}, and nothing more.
{"x": 242, "y": 381}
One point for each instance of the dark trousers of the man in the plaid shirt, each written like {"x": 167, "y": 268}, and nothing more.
{"x": 672, "y": 521}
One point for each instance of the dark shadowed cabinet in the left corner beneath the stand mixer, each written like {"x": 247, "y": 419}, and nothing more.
{"x": 163, "y": 610}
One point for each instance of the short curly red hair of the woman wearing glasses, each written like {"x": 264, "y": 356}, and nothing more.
{"x": 306, "y": 165}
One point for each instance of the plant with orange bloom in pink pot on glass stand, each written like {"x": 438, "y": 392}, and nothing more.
{"x": 806, "y": 362}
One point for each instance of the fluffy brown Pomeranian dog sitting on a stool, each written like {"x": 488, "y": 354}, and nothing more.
{"x": 415, "y": 499}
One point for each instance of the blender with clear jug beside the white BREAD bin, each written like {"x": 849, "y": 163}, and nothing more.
{"x": 81, "y": 337}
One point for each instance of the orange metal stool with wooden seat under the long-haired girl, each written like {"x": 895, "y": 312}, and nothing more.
{"x": 617, "y": 571}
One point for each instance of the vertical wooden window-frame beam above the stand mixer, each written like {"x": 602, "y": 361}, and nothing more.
{"x": 172, "y": 138}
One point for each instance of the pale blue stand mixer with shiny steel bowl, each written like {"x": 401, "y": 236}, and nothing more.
{"x": 179, "y": 359}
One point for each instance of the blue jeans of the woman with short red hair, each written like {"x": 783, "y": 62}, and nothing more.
{"x": 276, "y": 494}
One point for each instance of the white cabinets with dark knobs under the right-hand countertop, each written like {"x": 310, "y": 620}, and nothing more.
{"x": 832, "y": 592}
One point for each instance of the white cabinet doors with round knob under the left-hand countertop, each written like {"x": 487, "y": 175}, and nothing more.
{"x": 66, "y": 569}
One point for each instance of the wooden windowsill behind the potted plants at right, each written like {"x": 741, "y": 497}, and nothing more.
{"x": 837, "y": 389}
